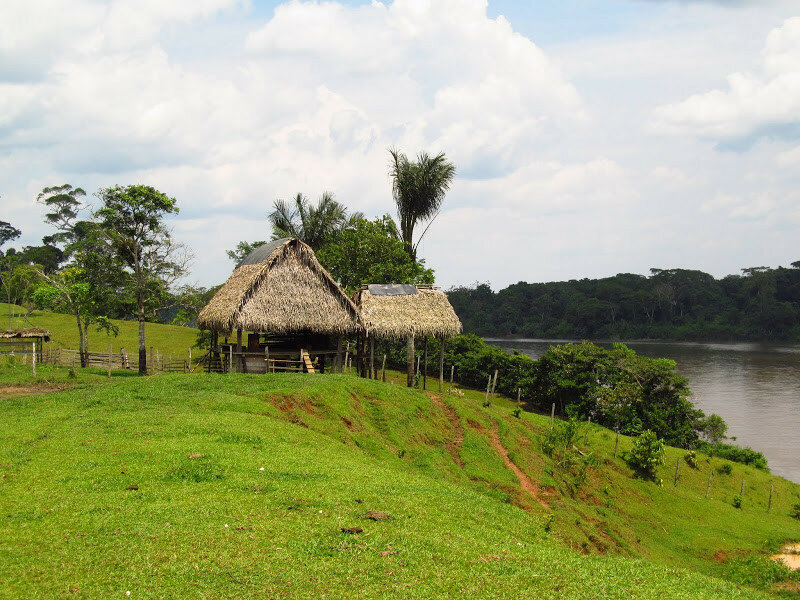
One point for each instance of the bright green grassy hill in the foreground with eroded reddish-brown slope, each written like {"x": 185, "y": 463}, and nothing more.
{"x": 240, "y": 486}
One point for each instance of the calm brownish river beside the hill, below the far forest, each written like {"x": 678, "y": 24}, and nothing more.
{"x": 754, "y": 387}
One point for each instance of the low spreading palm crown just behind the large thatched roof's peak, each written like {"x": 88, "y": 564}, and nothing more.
{"x": 315, "y": 225}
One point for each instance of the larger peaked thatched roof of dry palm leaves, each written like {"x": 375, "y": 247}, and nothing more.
{"x": 286, "y": 291}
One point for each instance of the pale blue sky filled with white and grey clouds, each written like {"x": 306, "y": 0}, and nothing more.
{"x": 589, "y": 137}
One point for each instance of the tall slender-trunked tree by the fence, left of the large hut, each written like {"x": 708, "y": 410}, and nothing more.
{"x": 133, "y": 219}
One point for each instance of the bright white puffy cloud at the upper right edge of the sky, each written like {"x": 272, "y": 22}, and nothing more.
{"x": 754, "y": 104}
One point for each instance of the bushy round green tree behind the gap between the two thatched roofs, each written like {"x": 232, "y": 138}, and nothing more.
{"x": 371, "y": 252}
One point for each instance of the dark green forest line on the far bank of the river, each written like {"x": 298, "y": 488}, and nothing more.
{"x": 760, "y": 304}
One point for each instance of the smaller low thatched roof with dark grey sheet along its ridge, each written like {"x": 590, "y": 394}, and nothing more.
{"x": 398, "y": 311}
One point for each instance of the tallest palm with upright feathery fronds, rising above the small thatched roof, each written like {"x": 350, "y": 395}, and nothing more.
{"x": 418, "y": 189}
